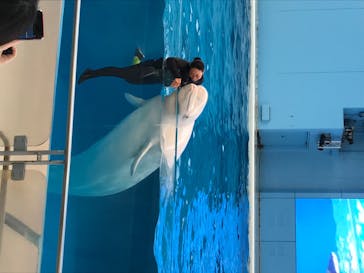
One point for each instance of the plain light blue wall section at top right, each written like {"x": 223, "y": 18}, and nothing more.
{"x": 310, "y": 62}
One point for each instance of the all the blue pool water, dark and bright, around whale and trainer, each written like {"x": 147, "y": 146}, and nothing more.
{"x": 202, "y": 225}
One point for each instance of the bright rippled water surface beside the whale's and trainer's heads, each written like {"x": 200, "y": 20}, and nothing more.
{"x": 202, "y": 227}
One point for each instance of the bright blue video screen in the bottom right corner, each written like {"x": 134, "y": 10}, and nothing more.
{"x": 329, "y": 235}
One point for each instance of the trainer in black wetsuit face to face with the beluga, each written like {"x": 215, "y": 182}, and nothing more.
{"x": 173, "y": 72}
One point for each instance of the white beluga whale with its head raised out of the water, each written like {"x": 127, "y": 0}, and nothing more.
{"x": 135, "y": 147}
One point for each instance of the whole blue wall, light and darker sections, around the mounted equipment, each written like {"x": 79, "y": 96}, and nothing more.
{"x": 311, "y": 76}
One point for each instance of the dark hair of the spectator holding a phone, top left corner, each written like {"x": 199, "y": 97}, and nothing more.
{"x": 15, "y": 17}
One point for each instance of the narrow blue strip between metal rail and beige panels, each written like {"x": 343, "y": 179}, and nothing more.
{"x": 58, "y": 140}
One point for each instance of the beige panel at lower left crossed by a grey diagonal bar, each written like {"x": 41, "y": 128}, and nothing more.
{"x": 23, "y": 223}
